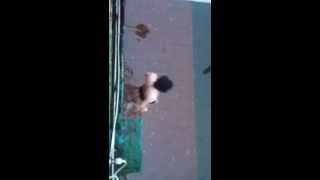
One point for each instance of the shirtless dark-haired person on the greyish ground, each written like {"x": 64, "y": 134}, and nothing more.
{"x": 149, "y": 92}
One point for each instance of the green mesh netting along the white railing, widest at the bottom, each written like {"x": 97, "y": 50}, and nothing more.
{"x": 129, "y": 132}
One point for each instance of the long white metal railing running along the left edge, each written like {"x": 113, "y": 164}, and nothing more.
{"x": 115, "y": 78}
